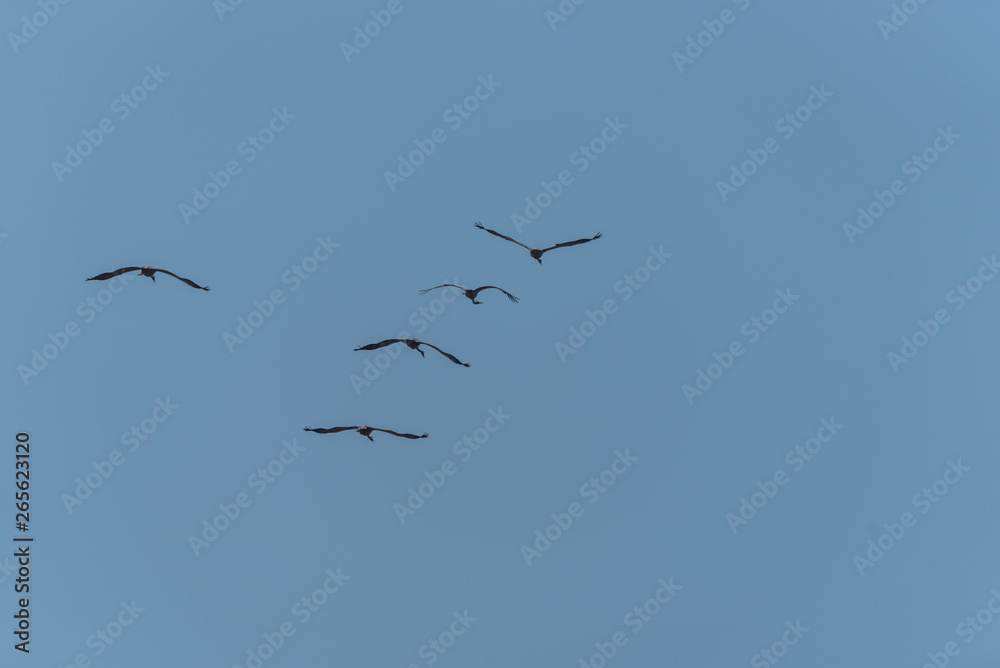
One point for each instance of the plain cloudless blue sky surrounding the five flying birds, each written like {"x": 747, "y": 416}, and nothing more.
{"x": 323, "y": 176}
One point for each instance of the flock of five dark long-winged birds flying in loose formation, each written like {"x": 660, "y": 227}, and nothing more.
{"x": 413, "y": 344}
